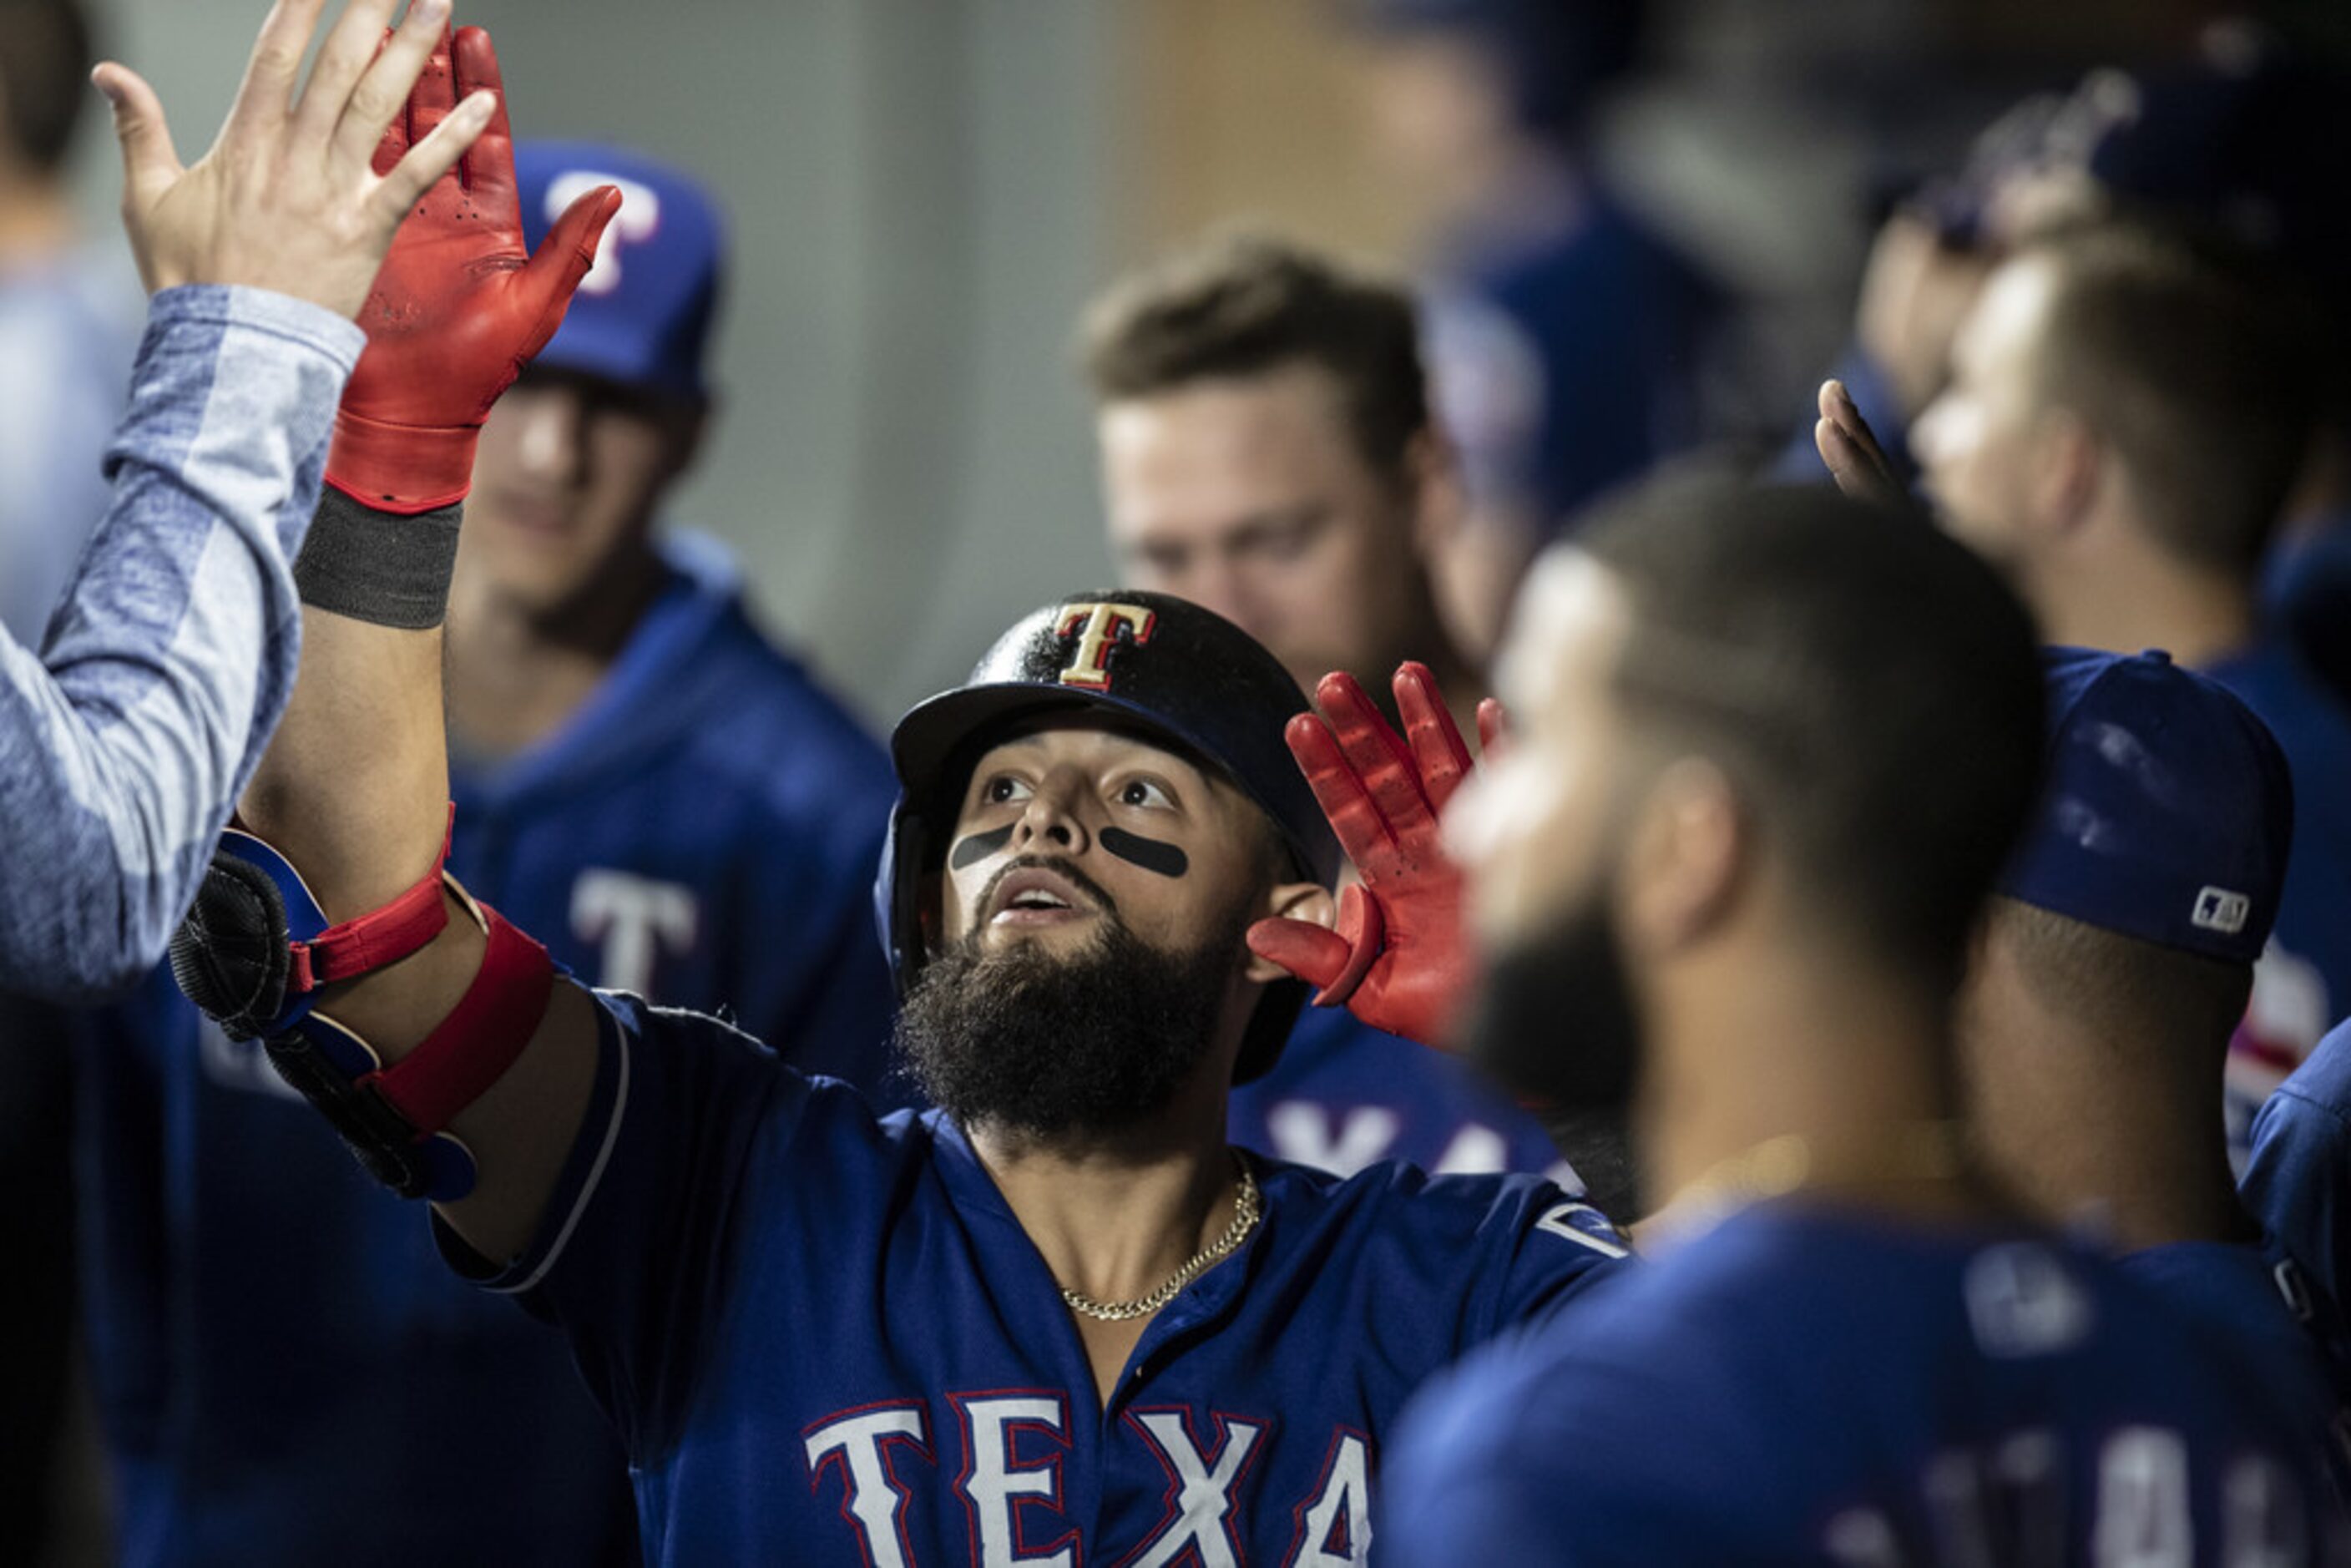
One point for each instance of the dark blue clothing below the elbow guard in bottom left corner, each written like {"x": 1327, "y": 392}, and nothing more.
{"x": 283, "y": 1376}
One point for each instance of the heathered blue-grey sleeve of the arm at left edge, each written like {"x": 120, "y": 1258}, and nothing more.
{"x": 126, "y": 744}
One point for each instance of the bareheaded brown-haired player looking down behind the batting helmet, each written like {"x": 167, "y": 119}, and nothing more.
{"x": 1268, "y": 453}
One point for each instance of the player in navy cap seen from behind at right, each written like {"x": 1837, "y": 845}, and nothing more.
{"x": 2110, "y": 977}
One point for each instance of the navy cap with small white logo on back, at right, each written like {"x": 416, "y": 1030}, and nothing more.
{"x": 2166, "y": 812}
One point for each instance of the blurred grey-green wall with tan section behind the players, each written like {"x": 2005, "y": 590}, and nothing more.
{"x": 925, "y": 194}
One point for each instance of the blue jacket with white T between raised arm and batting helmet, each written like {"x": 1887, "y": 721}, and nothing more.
{"x": 704, "y": 831}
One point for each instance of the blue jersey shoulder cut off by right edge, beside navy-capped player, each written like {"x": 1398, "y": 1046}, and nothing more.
{"x": 2298, "y": 1181}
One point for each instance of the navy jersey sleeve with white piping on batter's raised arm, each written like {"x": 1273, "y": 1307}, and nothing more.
{"x": 634, "y": 1254}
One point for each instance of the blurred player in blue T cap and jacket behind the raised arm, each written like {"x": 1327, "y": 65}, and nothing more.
{"x": 688, "y": 817}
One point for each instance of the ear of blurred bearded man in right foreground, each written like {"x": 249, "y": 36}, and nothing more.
{"x": 1684, "y": 857}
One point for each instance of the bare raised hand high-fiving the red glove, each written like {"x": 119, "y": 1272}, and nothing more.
{"x": 290, "y": 196}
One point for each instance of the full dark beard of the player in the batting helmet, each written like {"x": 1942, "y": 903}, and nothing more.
{"x": 1050, "y": 1047}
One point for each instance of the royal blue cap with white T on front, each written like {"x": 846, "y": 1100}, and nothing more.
{"x": 643, "y": 314}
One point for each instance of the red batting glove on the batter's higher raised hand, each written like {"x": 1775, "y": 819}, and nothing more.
{"x": 460, "y": 307}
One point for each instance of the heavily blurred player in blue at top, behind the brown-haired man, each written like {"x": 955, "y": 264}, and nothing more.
{"x": 1572, "y": 344}
